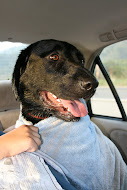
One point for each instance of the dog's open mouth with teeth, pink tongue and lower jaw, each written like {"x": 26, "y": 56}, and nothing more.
{"x": 67, "y": 108}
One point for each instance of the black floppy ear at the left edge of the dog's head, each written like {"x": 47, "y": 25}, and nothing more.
{"x": 19, "y": 69}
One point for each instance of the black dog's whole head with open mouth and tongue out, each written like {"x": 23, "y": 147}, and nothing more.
{"x": 49, "y": 77}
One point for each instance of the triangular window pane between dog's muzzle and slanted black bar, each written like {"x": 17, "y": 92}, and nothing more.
{"x": 103, "y": 102}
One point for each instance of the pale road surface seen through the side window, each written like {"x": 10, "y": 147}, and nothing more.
{"x": 103, "y": 102}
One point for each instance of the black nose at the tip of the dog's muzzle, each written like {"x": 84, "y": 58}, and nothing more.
{"x": 88, "y": 85}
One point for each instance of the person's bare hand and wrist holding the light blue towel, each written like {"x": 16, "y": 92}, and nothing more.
{"x": 23, "y": 138}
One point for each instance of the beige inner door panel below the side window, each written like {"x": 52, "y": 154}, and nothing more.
{"x": 116, "y": 130}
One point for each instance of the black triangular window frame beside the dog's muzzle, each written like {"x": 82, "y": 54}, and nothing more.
{"x": 98, "y": 62}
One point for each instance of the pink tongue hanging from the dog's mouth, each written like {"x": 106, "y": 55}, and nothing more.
{"x": 76, "y": 107}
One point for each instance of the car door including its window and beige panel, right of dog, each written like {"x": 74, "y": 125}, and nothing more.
{"x": 108, "y": 107}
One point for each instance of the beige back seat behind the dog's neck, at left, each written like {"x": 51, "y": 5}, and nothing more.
{"x": 9, "y": 108}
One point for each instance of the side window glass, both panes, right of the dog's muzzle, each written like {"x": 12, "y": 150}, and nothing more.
{"x": 114, "y": 61}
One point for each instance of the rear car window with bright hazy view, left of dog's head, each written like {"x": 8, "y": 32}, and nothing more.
{"x": 8, "y": 55}
